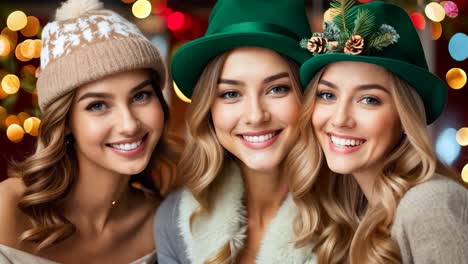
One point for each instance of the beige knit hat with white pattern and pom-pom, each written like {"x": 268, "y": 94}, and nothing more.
{"x": 87, "y": 43}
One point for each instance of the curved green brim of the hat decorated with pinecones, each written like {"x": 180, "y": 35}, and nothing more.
{"x": 432, "y": 90}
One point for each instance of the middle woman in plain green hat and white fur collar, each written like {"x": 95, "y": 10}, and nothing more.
{"x": 242, "y": 78}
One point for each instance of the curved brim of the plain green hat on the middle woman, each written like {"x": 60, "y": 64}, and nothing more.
{"x": 190, "y": 60}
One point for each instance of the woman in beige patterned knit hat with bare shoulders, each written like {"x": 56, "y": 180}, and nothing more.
{"x": 104, "y": 121}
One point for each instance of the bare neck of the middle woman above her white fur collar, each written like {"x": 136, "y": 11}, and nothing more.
{"x": 265, "y": 192}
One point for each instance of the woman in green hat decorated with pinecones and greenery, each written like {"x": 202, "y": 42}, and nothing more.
{"x": 372, "y": 174}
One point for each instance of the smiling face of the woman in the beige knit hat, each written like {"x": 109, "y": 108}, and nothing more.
{"x": 116, "y": 122}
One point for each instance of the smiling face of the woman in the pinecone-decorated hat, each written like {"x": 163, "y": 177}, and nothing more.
{"x": 355, "y": 118}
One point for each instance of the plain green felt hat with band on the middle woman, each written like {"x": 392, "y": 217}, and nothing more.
{"x": 274, "y": 24}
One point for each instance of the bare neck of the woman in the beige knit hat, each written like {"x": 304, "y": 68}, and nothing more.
{"x": 96, "y": 198}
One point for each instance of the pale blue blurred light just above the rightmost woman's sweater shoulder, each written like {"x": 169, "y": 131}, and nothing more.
{"x": 447, "y": 148}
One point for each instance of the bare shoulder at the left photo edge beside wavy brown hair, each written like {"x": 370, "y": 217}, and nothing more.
{"x": 10, "y": 215}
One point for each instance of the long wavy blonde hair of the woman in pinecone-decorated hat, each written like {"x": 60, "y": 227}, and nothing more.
{"x": 334, "y": 213}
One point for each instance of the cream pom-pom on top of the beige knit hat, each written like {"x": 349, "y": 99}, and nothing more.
{"x": 76, "y": 8}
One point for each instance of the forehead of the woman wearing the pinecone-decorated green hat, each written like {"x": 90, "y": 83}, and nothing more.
{"x": 357, "y": 73}
